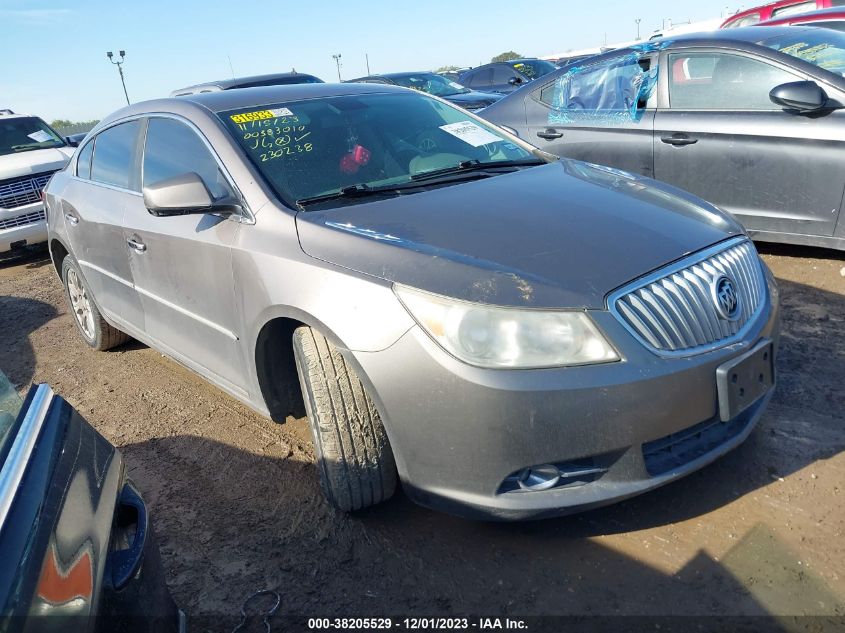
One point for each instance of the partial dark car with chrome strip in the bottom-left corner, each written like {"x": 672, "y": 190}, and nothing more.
{"x": 75, "y": 534}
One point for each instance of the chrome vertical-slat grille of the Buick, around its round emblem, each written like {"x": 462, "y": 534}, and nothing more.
{"x": 674, "y": 311}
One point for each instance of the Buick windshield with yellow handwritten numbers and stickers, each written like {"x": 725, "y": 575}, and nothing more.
{"x": 318, "y": 147}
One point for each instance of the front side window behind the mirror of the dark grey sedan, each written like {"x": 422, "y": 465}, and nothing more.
{"x": 722, "y": 81}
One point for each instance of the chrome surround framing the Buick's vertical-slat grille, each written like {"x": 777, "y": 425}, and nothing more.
{"x": 672, "y": 269}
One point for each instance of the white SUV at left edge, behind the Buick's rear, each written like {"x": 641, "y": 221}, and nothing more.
{"x": 30, "y": 152}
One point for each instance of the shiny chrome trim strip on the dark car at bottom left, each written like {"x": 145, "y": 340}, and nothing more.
{"x": 23, "y": 446}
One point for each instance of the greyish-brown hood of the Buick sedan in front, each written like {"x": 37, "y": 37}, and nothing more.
{"x": 557, "y": 235}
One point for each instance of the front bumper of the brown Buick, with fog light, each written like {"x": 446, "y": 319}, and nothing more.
{"x": 458, "y": 432}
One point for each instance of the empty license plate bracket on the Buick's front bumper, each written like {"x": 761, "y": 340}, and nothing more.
{"x": 745, "y": 379}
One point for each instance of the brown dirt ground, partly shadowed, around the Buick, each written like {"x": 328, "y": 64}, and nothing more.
{"x": 237, "y": 507}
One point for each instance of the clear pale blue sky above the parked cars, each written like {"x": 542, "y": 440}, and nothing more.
{"x": 53, "y": 53}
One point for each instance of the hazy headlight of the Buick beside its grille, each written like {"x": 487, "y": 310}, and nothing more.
{"x": 489, "y": 336}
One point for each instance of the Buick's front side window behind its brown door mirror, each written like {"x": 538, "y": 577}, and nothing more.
{"x": 173, "y": 149}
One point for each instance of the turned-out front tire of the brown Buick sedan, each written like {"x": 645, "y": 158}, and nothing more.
{"x": 354, "y": 457}
